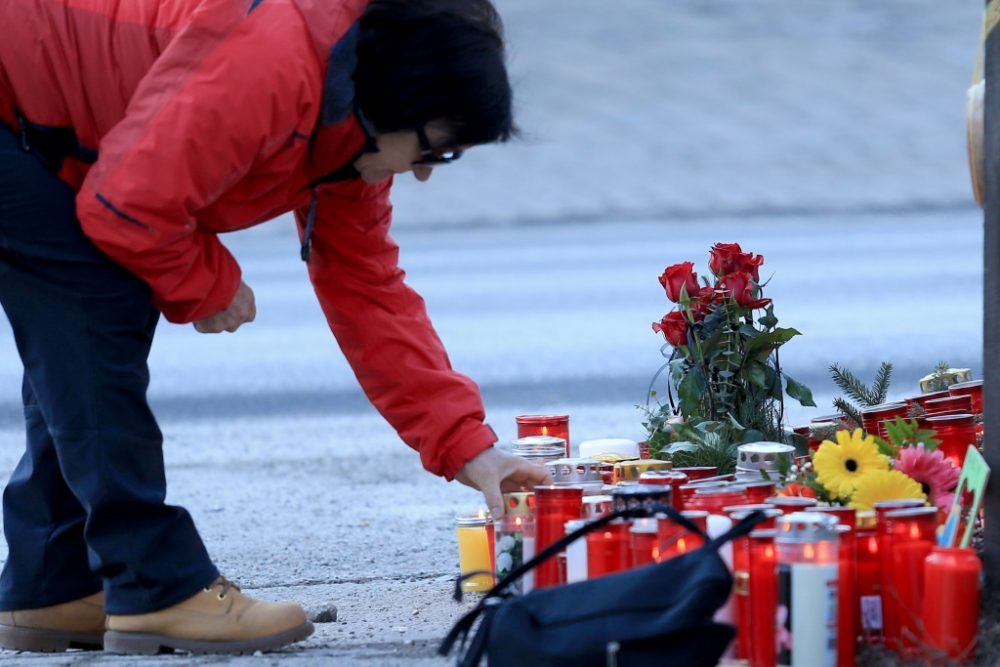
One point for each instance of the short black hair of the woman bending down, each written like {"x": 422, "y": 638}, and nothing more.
{"x": 426, "y": 60}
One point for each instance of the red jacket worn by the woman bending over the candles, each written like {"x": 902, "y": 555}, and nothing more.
{"x": 214, "y": 115}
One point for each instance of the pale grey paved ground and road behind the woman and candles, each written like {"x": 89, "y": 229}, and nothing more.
{"x": 826, "y": 136}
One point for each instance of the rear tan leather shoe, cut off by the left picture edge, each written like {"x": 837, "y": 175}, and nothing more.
{"x": 74, "y": 624}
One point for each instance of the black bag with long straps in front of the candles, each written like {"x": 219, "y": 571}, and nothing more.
{"x": 659, "y": 614}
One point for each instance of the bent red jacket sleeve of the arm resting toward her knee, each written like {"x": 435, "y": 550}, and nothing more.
{"x": 226, "y": 92}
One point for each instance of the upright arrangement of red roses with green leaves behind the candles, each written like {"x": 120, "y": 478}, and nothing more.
{"x": 726, "y": 386}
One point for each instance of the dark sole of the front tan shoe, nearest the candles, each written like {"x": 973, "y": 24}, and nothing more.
{"x": 140, "y": 643}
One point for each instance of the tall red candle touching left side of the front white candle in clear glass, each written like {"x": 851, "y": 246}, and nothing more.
{"x": 763, "y": 586}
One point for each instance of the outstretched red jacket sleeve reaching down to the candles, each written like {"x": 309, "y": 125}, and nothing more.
{"x": 384, "y": 331}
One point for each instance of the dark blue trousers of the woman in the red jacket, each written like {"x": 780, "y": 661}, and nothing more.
{"x": 84, "y": 509}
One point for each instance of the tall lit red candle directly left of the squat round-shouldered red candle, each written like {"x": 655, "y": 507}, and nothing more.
{"x": 912, "y": 534}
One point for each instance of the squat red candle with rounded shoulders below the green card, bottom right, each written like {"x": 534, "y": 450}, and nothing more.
{"x": 951, "y": 603}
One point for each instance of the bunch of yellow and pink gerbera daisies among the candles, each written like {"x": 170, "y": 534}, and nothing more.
{"x": 859, "y": 470}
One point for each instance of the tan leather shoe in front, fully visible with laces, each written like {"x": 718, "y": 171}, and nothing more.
{"x": 219, "y": 619}
